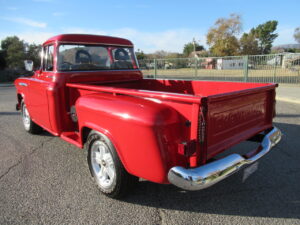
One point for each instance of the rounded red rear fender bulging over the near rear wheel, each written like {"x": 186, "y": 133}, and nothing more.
{"x": 145, "y": 133}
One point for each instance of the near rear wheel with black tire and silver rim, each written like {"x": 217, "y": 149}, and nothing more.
{"x": 106, "y": 168}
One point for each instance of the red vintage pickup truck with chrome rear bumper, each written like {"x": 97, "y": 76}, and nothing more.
{"x": 90, "y": 92}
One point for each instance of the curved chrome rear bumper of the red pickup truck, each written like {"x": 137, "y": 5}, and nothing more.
{"x": 211, "y": 173}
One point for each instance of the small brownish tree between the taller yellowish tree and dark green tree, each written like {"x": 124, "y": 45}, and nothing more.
{"x": 249, "y": 44}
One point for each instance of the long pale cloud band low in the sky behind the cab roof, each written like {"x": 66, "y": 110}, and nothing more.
{"x": 172, "y": 40}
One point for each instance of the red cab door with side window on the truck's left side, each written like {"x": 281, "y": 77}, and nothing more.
{"x": 38, "y": 100}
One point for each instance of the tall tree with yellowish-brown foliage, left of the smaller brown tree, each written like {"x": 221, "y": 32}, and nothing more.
{"x": 222, "y": 36}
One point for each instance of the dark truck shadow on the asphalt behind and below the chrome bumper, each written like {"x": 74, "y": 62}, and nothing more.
{"x": 273, "y": 191}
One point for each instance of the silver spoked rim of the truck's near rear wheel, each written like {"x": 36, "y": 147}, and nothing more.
{"x": 102, "y": 164}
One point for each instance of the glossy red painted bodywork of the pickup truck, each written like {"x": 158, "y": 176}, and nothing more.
{"x": 147, "y": 120}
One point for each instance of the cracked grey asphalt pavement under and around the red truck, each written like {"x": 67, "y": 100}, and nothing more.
{"x": 44, "y": 180}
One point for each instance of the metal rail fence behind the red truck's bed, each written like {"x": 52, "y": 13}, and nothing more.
{"x": 279, "y": 68}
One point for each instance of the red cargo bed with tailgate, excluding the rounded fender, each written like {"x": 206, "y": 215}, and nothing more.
{"x": 221, "y": 114}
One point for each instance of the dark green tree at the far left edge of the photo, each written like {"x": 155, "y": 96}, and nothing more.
{"x": 14, "y": 53}
